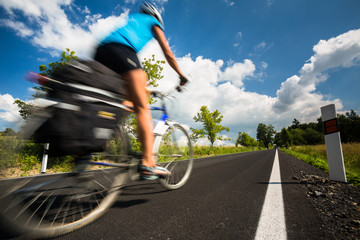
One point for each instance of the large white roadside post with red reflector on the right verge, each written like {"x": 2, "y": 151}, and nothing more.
{"x": 333, "y": 144}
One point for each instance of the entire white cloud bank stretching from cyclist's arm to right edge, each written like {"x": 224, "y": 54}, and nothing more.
{"x": 243, "y": 110}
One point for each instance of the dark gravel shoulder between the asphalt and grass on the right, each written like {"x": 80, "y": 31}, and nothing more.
{"x": 336, "y": 203}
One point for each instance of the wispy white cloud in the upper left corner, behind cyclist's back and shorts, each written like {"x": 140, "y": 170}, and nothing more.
{"x": 54, "y": 31}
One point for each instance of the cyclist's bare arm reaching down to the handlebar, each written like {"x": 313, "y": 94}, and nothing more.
{"x": 160, "y": 37}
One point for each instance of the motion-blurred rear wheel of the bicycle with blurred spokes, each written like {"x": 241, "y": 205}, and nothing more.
{"x": 53, "y": 205}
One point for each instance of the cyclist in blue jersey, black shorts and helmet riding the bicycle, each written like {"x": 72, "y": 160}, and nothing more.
{"x": 118, "y": 51}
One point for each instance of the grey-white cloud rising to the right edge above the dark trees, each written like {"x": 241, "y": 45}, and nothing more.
{"x": 339, "y": 52}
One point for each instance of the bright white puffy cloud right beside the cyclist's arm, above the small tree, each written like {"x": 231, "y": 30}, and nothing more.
{"x": 216, "y": 85}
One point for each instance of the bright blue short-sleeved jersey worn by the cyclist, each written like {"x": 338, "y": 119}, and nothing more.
{"x": 136, "y": 33}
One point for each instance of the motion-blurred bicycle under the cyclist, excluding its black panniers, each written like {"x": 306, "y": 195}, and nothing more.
{"x": 56, "y": 204}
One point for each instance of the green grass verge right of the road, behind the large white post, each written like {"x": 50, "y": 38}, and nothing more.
{"x": 317, "y": 157}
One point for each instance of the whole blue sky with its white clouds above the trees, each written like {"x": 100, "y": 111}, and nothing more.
{"x": 256, "y": 61}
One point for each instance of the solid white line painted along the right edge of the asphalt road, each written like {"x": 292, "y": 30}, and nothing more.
{"x": 272, "y": 220}
